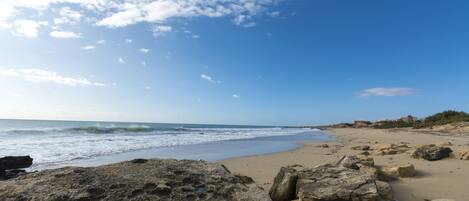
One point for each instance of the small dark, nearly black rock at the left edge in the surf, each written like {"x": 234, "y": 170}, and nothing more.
{"x": 11, "y": 166}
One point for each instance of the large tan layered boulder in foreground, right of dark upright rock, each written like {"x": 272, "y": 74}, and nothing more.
{"x": 333, "y": 183}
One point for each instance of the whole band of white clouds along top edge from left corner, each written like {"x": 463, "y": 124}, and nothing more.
{"x": 121, "y": 13}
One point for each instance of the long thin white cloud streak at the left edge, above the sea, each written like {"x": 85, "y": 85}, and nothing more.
{"x": 39, "y": 75}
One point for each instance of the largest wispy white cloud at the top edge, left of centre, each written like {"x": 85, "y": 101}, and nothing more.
{"x": 159, "y": 11}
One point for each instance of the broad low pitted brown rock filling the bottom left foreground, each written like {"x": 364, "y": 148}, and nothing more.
{"x": 154, "y": 179}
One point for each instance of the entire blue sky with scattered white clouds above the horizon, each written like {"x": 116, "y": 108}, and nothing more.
{"x": 254, "y": 62}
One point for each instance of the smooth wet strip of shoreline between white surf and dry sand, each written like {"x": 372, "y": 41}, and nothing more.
{"x": 203, "y": 151}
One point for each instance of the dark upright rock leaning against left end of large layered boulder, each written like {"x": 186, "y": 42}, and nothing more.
{"x": 284, "y": 186}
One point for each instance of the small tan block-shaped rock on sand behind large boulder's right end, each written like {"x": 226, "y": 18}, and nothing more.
{"x": 391, "y": 173}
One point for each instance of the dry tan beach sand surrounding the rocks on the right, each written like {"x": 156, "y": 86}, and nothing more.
{"x": 447, "y": 178}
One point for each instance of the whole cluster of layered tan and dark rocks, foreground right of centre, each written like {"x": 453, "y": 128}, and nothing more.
{"x": 331, "y": 183}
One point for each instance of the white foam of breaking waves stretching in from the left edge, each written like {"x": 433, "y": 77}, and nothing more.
{"x": 58, "y": 147}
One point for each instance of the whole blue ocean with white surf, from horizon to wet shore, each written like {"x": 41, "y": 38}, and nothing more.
{"x": 60, "y": 143}
